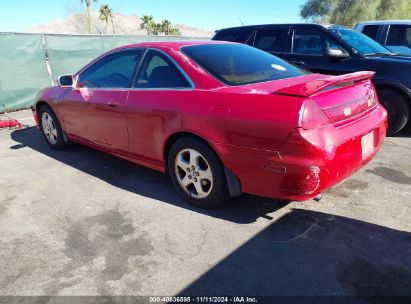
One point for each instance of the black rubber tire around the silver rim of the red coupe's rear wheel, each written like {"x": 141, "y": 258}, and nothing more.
{"x": 218, "y": 193}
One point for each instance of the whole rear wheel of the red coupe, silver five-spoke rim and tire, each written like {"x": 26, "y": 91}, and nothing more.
{"x": 197, "y": 173}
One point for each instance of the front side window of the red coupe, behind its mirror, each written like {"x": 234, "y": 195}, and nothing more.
{"x": 113, "y": 71}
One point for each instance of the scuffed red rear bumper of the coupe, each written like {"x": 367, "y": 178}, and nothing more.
{"x": 311, "y": 161}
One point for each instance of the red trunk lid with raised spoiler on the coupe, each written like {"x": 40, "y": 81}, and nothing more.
{"x": 337, "y": 97}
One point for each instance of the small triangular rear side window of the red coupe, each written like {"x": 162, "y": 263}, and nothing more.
{"x": 157, "y": 71}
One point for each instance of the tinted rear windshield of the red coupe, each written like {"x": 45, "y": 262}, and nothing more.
{"x": 238, "y": 64}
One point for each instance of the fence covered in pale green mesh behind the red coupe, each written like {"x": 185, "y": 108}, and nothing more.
{"x": 29, "y": 62}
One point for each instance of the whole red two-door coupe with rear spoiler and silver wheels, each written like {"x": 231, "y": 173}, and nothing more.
{"x": 221, "y": 118}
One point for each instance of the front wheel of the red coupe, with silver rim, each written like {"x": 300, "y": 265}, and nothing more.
{"x": 51, "y": 129}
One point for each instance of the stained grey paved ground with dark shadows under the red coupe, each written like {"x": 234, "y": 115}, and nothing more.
{"x": 80, "y": 222}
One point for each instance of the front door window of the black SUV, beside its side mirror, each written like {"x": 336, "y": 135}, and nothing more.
{"x": 313, "y": 42}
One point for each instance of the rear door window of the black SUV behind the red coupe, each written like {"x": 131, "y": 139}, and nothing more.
{"x": 273, "y": 40}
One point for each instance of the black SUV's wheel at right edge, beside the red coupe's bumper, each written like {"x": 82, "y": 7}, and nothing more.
{"x": 397, "y": 108}
